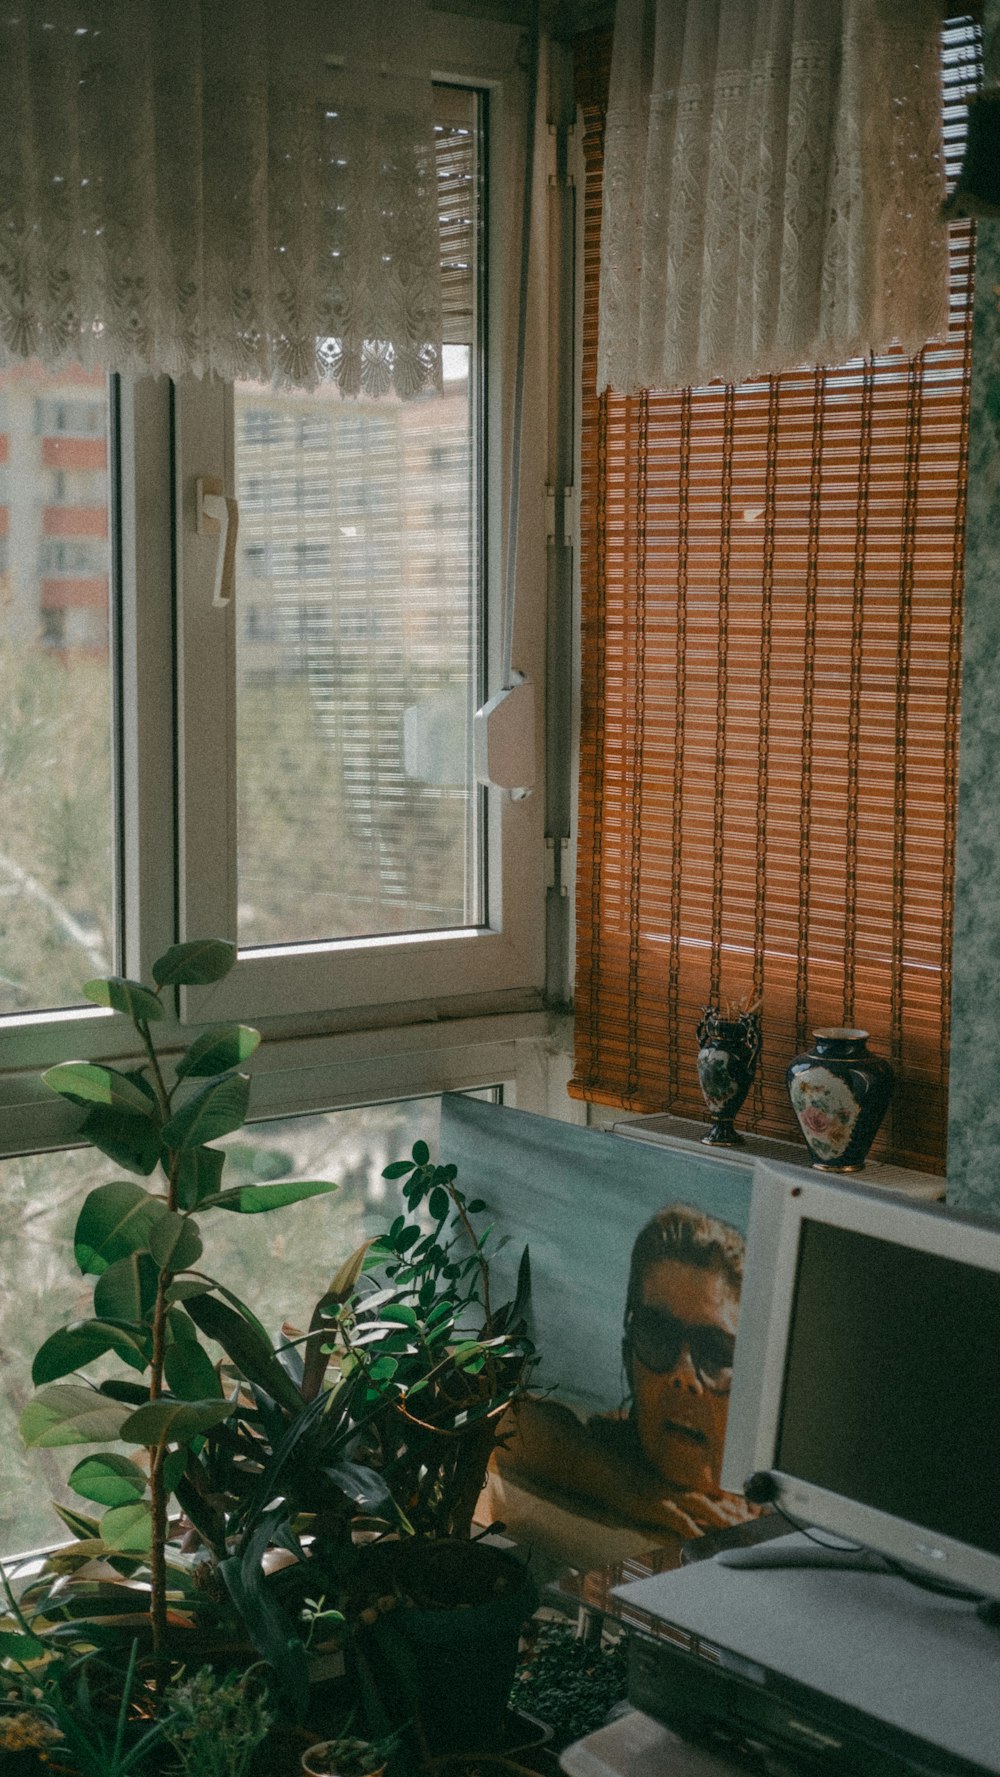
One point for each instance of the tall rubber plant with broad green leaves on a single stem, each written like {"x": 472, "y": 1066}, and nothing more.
{"x": 139, "y": 1241}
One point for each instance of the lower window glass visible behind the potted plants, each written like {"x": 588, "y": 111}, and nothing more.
{"x": 280, "y": 1264}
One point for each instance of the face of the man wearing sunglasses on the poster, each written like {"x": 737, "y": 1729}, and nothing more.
{"x": 685, "y": 1330}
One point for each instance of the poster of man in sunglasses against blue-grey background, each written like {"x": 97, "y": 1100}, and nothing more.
{"x": 640, "y": 1314}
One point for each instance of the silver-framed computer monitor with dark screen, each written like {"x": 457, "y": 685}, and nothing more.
{"x": 868, "y": 1373}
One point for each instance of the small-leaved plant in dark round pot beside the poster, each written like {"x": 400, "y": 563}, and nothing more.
{"x": 440, "y": 1614}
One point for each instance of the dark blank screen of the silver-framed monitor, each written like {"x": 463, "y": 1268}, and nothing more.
{"x": 891, "y": 1392}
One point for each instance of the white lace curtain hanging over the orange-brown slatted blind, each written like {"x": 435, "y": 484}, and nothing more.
{"x": 774, "y": 182}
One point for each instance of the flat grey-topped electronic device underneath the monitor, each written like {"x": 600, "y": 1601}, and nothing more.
{"x": 848, "y": 1671}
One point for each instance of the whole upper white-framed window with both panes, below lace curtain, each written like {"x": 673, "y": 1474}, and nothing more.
{"x": 223, "y": 767}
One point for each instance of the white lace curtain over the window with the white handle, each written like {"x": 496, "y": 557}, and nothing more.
{"x": 203, "y": 186}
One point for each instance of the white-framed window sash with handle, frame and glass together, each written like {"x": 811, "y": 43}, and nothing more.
{"x": 365, "y": 863}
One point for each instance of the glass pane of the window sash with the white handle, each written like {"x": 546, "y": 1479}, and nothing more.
{"x": 360, "y": 632}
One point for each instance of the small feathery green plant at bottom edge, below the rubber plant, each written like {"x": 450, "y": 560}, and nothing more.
{"x": 216, "y": 1725}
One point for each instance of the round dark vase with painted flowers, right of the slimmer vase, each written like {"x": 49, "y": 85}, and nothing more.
{"x": 839, "y": 1094}
